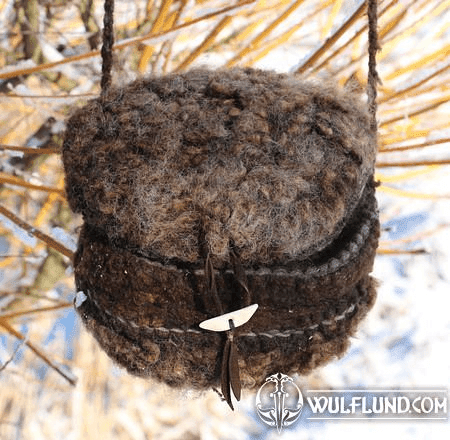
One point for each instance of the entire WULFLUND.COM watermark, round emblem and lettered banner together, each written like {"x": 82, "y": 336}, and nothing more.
{"x": 280, "y": 403}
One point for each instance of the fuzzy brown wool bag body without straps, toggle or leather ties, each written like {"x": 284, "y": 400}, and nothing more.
{"x": 270, "y": 167}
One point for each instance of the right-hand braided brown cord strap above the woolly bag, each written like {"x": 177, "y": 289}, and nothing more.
{"x": 373, "y": 79}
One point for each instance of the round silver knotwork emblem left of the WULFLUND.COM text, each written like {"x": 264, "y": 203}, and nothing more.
{"x": 279, "y": 401}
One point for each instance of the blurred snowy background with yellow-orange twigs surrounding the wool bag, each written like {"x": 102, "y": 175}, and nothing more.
{"x": 49, "y": 64}
